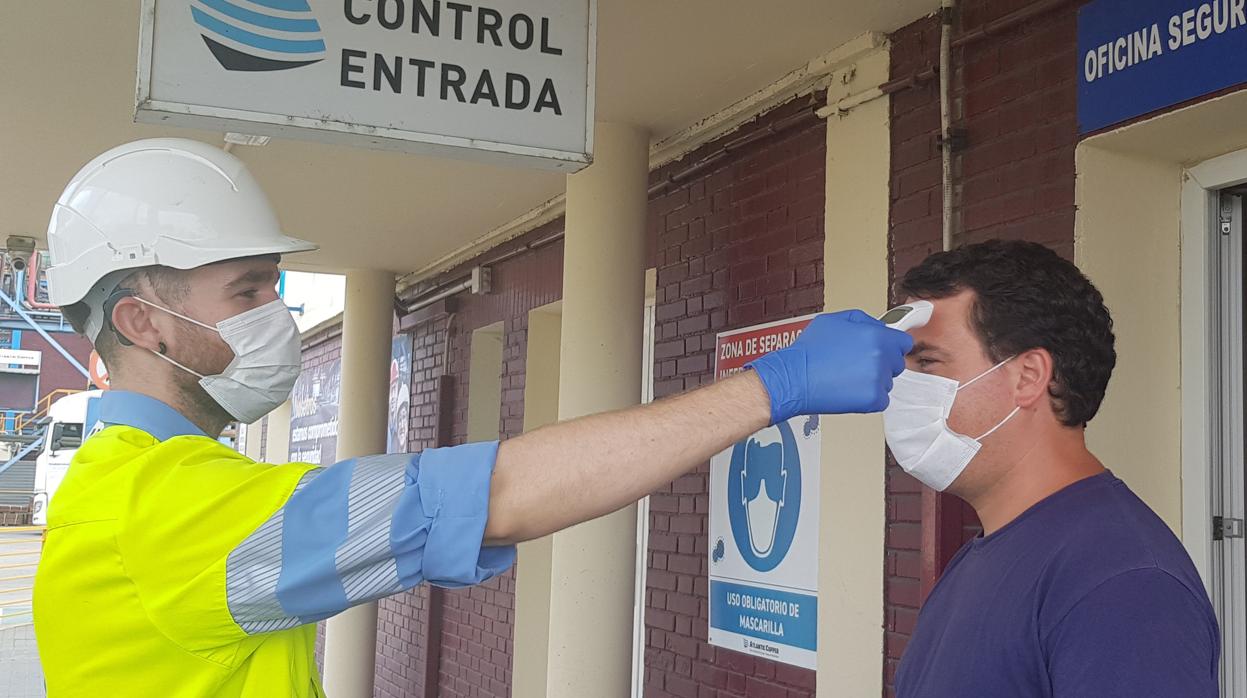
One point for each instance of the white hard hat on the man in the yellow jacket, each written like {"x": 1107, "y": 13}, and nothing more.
{"x": 163, "y": 201}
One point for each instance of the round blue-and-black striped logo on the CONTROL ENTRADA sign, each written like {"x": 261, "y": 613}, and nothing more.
{"x": 260, "y": 36}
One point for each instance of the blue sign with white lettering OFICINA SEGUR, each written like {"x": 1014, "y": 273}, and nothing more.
{"x": 1139, "y": 57}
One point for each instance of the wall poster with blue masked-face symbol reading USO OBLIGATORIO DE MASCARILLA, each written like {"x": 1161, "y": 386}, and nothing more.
{"x": 764, "y": 523}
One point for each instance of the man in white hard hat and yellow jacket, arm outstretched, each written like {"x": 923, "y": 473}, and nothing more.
{"x": 176, "y": 567}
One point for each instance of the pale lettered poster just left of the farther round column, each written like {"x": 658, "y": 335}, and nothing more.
{"x": 315, "y": 414}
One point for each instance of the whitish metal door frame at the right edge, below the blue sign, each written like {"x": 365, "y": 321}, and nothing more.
{"x": 1214, "y": 397}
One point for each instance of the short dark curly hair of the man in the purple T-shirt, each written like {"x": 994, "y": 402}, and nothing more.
{"x": 1028, "y": 297}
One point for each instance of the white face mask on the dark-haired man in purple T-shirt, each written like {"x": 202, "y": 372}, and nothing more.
{"x": 916, "y": 427}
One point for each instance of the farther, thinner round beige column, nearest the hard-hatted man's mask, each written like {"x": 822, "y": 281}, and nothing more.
{"x": 367, "y": 326}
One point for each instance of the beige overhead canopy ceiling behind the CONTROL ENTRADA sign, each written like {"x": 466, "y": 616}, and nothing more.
{"x": 69, "y": 88}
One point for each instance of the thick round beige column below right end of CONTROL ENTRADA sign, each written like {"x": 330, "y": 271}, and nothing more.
{"x": 593, "y": 565}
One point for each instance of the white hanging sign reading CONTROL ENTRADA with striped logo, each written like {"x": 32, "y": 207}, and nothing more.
{"x": 508, "y": 82}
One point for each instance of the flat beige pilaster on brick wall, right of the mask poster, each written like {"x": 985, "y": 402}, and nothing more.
{"x": 852, "y": 500}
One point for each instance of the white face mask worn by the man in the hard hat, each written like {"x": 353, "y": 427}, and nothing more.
{"x": 269, "y": 356}
